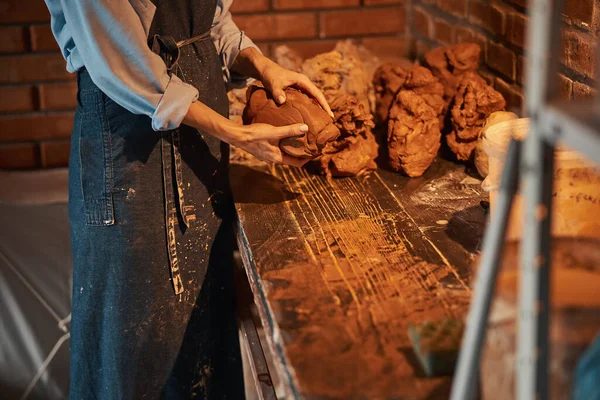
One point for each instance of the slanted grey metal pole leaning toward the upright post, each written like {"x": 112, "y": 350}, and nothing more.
{"x": 468, "y": 361}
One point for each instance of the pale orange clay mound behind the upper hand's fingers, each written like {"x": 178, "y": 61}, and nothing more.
{"x": 341, "y": 71}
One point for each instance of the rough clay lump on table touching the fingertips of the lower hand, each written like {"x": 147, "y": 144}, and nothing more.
{"x": 354, "y": 151}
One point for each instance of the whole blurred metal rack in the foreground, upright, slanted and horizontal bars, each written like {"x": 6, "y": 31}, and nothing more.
{"x": 575, "y": 124}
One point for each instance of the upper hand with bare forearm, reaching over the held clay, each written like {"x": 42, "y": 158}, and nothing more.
{"x": 275, "y": 78}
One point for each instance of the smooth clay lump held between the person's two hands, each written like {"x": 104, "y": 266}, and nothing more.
{"x": 298, "y": 108}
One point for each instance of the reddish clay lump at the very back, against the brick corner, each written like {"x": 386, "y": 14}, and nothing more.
{"x": 450, "y": 63}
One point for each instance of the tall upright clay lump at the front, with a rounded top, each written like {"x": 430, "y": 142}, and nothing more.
{"x": 413, "y": 134}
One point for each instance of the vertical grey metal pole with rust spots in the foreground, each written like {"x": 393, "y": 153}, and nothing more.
{"x": 544, "y": 34}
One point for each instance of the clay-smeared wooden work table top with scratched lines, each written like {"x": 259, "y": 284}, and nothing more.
{"x": 340, "y": 267}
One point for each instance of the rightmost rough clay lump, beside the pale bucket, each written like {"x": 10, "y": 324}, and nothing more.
{"x": 475, "y": 100}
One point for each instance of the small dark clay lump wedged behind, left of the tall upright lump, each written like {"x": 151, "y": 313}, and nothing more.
{"x": 387, "y": 80}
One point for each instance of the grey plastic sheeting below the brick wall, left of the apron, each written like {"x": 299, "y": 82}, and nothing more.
{"x": 35, "y": 286}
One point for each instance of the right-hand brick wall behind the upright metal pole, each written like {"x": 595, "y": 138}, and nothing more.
{"x": 499, "y": 27}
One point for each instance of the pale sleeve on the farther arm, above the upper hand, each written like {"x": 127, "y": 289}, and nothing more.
{"x": 229, "y": 41}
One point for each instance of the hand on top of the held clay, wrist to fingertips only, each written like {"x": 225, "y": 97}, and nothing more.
{"x": 276, "y": 79}
